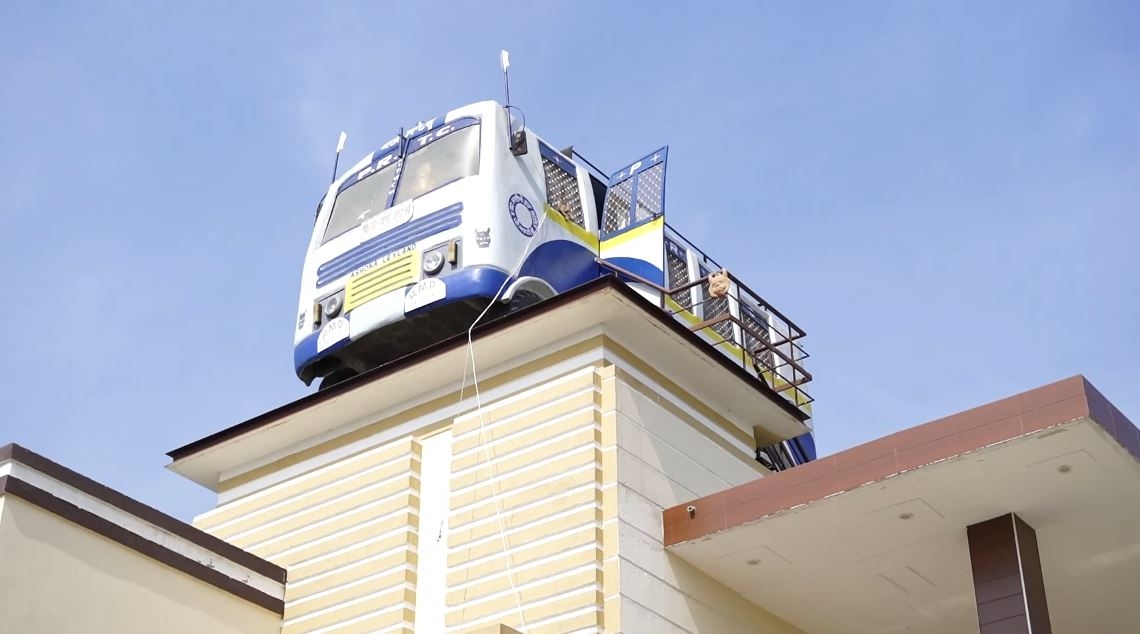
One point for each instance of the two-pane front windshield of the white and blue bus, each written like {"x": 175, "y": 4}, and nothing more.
{"x": 429, "y": 167}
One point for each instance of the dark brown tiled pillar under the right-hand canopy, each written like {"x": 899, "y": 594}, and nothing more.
{"x": 1008, "y": 586}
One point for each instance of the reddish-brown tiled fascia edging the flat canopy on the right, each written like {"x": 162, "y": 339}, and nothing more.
{"x": 964, "y": 433}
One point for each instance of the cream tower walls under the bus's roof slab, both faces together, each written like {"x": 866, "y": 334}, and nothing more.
{"x": 553, "y": 515}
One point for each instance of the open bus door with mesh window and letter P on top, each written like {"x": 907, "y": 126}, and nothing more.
{"x": 632, "y": 229}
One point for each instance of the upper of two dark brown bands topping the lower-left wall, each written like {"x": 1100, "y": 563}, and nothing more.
{"x": 111, "y": 497}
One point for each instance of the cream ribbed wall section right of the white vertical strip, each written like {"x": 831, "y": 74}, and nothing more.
{"x": 525, "y": 546}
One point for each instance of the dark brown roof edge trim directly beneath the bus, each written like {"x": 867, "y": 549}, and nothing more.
{"x": 609, "y": 282}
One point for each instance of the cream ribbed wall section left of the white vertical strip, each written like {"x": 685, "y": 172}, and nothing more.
{"x": 346, "y": 533}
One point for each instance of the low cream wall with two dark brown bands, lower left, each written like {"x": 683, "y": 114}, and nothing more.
{"x": 78, "y": 557}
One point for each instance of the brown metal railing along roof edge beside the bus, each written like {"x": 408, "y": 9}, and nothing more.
{"x": 771, "y": 348}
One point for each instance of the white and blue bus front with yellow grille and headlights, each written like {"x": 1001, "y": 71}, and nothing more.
{"x": 406, "y": 233}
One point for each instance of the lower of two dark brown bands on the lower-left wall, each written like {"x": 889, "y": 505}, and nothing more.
{"x": 120, "y": 535}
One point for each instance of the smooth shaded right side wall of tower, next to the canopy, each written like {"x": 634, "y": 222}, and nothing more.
{"x": 664, "y": 460}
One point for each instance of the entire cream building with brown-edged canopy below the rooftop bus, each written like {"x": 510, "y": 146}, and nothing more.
{"x": 600, "y": 477}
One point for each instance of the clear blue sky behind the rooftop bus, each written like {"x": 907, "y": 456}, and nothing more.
{"x": 944, "y": 196}
